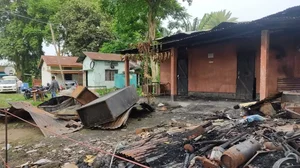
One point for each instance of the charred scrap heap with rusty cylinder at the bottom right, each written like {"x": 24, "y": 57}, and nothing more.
{"x": 267, "y": 136}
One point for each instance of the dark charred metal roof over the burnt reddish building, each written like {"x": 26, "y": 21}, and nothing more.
{"x": 289, "y": 18}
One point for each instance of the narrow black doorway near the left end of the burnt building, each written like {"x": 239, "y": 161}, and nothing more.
{"x": 182, "y": 72}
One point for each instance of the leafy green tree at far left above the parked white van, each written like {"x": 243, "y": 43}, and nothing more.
{"x": 21, "y": 37}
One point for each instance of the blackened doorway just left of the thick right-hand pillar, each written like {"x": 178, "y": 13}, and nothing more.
{"x": 245, "y": 83}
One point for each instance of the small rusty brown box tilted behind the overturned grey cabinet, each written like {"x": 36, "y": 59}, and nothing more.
{"x": 83, "y": 95}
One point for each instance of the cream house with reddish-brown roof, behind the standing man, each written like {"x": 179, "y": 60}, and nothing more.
{"x": 49, "y": 66}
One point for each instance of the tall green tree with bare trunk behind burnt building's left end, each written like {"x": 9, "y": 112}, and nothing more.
{"x": 149, "y": 13}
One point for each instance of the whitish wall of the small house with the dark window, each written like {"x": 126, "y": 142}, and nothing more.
{"x": 96, "y": 76}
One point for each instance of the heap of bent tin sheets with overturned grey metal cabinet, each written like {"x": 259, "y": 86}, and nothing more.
{"x": 66, "y": 114}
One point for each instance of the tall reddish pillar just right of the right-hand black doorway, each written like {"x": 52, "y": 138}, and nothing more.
{"x": 264, "y": 61}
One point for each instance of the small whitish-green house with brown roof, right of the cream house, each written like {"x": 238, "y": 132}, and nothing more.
{"x": 100, "y": 68}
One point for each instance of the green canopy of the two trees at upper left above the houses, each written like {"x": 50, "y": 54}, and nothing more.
{"x": 78, "y": 25}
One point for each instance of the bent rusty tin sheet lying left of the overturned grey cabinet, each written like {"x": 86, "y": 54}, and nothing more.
{"x": 43, "y": 119}
